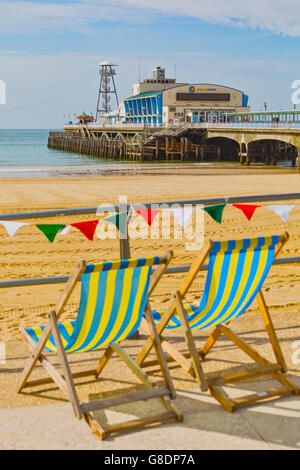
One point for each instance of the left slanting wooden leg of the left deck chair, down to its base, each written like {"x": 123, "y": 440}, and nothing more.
{"x": 65, "y": 366}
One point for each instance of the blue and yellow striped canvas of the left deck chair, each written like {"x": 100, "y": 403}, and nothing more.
{"x": 112, "y": 303}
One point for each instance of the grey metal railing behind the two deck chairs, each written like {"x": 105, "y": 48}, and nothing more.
{"x": 124, "y": 243}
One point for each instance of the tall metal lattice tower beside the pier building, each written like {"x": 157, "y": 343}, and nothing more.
{"x": 107, "y": 87}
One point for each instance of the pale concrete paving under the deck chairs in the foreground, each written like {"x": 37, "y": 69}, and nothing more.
{"x": 265, "y": 426}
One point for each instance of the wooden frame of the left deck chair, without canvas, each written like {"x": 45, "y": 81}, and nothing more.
{"x": 66, "y": 381}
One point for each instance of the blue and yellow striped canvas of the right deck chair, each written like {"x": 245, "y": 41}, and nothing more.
{"x": 236, "y": 272}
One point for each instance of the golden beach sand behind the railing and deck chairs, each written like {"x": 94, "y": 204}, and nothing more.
{"x": 28, "y": 254}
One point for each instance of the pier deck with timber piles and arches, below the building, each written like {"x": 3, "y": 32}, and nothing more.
{"x": 246, "y": 143}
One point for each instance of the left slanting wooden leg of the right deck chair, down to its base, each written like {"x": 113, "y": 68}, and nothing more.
{"x": 190, "y": 342}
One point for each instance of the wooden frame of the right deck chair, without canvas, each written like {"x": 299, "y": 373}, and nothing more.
{"x": 191, "y": 360}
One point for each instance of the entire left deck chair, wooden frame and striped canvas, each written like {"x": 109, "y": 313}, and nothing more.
{"x": 114, "y": 297}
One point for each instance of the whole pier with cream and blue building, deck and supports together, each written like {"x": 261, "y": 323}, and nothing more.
{"x": 166, "y": 120}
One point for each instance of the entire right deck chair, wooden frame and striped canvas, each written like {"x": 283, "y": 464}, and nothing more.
{"x": 237, "y": 270}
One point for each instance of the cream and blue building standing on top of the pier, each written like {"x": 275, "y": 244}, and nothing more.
{"x": 160, "y": 100}
